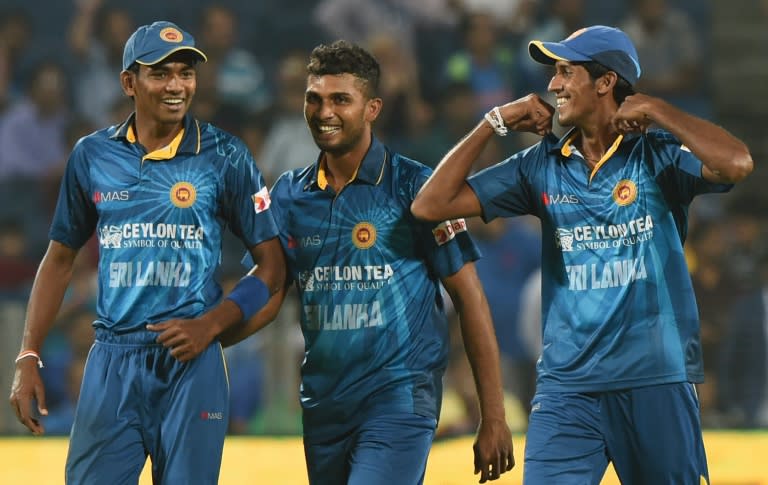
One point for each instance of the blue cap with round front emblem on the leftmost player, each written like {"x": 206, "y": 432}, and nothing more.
{"x": 151, "y": 44}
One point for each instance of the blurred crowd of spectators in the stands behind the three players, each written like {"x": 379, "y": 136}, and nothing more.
{"x": 444, "y": 64}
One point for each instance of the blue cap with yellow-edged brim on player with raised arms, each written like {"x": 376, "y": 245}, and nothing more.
{"x": 608, "y": 46}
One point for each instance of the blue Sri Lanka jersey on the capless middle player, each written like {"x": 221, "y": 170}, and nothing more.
{"x": 367, "y": 273}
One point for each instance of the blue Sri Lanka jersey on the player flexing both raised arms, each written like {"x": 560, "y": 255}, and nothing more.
{"x": 618, "y": 305}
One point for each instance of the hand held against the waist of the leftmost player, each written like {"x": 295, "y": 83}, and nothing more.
{"x": 185, "y": 338}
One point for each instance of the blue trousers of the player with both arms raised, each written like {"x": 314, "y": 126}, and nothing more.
{"x": 652, "y": 435}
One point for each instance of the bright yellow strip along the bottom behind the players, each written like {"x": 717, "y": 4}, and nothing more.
{"x": 734, "y": 459}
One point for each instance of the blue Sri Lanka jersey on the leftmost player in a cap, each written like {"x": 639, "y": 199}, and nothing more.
{"x": 159, "y": 218}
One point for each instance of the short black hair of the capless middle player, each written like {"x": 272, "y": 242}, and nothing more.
{"x": 342, "y": 57}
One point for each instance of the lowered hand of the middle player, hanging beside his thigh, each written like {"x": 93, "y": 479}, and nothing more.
{"x": 493, "y": 450}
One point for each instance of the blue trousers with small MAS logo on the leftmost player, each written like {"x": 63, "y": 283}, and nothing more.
{"x": 138, "y": 401}
